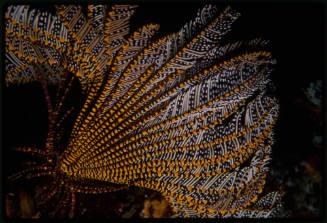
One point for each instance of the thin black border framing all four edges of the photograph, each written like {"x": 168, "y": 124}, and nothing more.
{"x": 321, "y": 2}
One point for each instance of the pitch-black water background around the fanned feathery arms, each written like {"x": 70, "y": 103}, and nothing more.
{"x": 297, "y": 34}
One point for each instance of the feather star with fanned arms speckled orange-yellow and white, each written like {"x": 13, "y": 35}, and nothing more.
{"x": 187, "y": 114}
